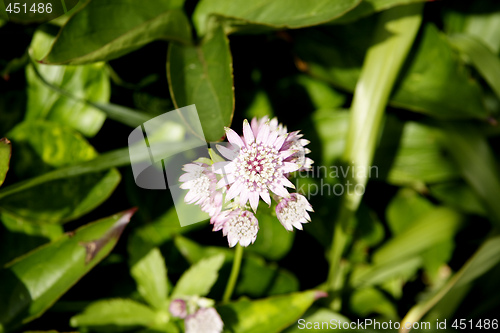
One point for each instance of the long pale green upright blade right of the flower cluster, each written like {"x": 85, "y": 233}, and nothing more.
{"x": 394, "y": 35}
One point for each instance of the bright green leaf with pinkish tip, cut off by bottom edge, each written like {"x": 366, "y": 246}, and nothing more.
{"x": 269, "y": 315}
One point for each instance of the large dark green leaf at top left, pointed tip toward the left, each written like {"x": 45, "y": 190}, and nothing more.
{"x": 104, "y": 30}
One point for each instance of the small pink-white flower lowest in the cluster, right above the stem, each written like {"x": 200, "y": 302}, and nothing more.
{"x": 238, "y": 225}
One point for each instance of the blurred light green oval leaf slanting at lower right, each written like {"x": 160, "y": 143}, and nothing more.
{"x": 432, "y": 228}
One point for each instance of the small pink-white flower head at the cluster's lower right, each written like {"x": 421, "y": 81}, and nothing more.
{"x": 292, "y": 212}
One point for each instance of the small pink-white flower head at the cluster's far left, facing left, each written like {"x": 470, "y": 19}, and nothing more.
{"x": 201, "y": 183}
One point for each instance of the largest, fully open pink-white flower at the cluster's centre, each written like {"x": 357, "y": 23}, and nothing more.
{"x": 259, "y": 166}
